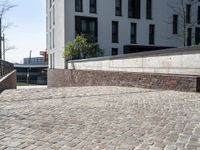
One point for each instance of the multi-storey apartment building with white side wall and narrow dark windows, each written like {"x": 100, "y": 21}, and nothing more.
{"x": 121, "y": 26}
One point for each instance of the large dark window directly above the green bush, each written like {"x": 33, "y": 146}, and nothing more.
{"x": 86, "y": 25}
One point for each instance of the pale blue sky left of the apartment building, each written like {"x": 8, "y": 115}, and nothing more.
{"x": 27, "y": 31}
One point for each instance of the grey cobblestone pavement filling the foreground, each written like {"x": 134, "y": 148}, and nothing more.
{"x": 96, "y": 118}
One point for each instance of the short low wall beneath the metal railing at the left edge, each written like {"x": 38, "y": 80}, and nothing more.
{"x": 8, "y": 82}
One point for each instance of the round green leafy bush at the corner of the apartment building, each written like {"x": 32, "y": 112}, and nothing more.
{"x": 82, "y": 47}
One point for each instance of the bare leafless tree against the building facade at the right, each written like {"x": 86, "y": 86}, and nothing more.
{"x": 185, "y": 13}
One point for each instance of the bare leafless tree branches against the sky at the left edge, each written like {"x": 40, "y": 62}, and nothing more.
{"x": 5, "y": 6}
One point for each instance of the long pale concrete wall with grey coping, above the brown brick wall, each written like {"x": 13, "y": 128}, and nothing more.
{"x": 169, "y": 61}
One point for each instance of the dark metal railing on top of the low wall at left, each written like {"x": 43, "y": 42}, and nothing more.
{"x": 5, "y": 68}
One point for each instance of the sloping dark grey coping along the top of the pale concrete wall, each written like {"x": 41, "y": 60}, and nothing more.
{"x": 164, "y": 52}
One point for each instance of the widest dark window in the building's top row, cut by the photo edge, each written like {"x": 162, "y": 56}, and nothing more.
{"x": 134, "y": 9}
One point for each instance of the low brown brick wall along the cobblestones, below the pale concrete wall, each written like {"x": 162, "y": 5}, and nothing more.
{"x": 62, "y": 78}
